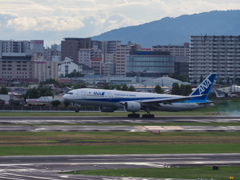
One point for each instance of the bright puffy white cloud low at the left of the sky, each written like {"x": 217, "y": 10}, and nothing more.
{"x": 45, "y": 23}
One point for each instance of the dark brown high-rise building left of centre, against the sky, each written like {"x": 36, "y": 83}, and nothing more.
{"x": 71, "y": 46}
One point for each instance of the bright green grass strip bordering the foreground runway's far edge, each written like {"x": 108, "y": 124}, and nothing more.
{"x": 117, "y": 149}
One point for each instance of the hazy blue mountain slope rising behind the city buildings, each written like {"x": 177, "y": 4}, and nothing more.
{"x": 177, "y": 30}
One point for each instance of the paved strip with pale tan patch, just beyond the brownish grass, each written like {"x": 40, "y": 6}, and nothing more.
{"x": 38, "y": 128}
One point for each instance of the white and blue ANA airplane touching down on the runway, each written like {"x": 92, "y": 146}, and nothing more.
{"x": 111, "y": 100}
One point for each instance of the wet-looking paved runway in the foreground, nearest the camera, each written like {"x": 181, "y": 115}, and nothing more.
{"x": 48, "y": 167}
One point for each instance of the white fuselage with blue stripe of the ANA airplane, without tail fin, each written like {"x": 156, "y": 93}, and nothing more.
{"x": 116, "y": 99}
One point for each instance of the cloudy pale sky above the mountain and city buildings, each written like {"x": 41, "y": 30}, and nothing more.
{"x": 53, "y": 20}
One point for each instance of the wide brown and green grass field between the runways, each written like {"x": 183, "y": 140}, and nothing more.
{"x": 81, "y": 143}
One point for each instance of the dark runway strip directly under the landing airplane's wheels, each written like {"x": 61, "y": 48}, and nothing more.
{"x": 117, "y": 120}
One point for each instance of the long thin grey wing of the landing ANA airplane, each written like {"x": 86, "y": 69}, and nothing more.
{"x": 169, "y": 100}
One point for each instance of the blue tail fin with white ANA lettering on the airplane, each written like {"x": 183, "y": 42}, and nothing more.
{"x": 205, "y": 87}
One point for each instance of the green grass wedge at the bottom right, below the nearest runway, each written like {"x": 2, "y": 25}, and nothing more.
{"x": 205, "y": 172}
